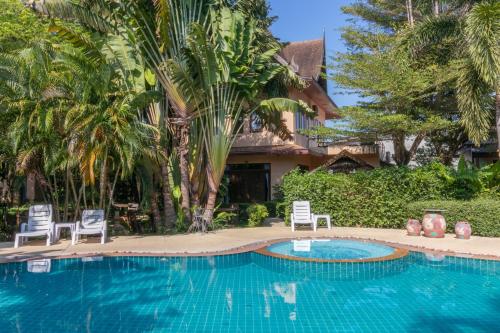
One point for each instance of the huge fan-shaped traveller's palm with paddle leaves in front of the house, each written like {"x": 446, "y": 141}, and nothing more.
{"x": 193, "y": 48}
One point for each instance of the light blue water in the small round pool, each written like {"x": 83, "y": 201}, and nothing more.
{"x": 331, "y": 249}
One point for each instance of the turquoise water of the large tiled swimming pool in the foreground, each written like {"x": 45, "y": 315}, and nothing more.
{"x": 251, "y": 293}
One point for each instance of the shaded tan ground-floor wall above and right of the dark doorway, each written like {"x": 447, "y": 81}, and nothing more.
{"x": 280, "y": 165}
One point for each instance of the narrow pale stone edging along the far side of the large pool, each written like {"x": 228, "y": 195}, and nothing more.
{"x": 248, "y": 248}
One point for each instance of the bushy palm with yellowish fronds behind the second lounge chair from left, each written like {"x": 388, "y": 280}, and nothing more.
{"x": 104, "y": 122}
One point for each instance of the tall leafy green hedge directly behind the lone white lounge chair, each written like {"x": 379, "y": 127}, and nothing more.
{"x": 372, "y": 199}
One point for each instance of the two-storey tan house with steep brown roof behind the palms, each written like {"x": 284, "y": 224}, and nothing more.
{"x": 259, "y": 159}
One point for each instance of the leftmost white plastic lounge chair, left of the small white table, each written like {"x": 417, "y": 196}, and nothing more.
{"x": 39, "y": 224}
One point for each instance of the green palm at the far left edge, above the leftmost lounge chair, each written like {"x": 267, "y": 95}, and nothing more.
{"x": 30, "y": 87}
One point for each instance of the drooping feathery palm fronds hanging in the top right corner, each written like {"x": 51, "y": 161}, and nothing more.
{"x": 472, "y": 36}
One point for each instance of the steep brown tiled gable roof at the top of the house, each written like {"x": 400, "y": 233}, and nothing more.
{"x": 305, "y": 57}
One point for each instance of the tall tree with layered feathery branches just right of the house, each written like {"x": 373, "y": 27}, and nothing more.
{"x": 399, "y": 97}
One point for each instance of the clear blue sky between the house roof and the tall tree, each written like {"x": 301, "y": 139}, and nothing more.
{"x": 307, "y": 19}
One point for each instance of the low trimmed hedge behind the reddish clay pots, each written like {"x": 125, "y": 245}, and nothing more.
{"x": 482, "y": 214}
